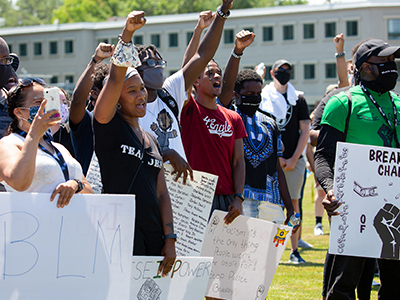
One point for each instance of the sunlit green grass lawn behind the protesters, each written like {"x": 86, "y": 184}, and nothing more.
{"x": 297, "y": 282}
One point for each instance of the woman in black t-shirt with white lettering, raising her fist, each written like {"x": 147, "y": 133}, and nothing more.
{"x": 130, "y": 159}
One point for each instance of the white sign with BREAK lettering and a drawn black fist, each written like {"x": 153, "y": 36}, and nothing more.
{"x": 367, "y": 180}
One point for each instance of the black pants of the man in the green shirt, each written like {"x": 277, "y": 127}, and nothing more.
{"x": 346, "y": 272}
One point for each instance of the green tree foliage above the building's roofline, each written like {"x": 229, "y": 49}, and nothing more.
{"x": 33, "y": 12}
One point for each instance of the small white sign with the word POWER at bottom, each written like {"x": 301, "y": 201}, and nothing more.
{"x": 187, "y": 279}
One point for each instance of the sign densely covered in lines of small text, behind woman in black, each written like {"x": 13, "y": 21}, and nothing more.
{"x": 191, "y": 204}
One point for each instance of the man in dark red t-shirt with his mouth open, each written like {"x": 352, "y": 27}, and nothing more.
{"x": 213, "y": 140}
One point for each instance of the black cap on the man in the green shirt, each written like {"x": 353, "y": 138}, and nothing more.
{"x": 374, "y": 48}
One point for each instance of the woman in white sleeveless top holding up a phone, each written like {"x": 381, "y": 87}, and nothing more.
{"x": 30, "y": 161}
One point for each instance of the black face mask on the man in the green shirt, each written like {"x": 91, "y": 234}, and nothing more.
{"x": 387, "y": 78}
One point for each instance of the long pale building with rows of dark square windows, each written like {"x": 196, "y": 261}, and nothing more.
{"x": 302, "y": 34}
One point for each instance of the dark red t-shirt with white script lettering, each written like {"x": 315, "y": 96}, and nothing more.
{"x": 208, "y": 137}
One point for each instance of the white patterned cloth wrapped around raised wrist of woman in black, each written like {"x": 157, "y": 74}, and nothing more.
{"x": 125, "y": 55}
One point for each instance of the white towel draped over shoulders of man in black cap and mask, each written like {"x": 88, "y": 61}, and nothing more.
{"x": 274, "y": 103}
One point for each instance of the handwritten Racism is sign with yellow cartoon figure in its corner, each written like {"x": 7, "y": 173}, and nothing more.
{"x": 246, "y": 254}
